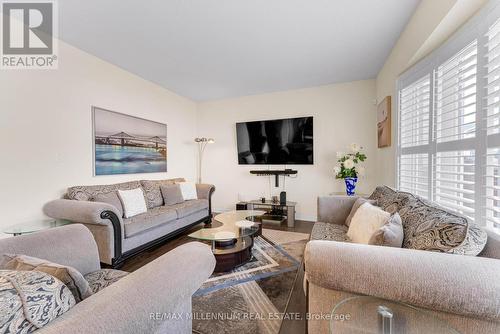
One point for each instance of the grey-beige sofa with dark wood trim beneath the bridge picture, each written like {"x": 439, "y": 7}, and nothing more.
{"x": 119, "y": 238}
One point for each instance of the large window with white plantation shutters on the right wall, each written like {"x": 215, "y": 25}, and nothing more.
{"x": 449, "y": 122}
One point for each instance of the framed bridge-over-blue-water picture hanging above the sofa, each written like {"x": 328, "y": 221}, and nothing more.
{"x": 125, "y": 144}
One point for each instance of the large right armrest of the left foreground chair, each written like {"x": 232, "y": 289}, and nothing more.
{"x": 127, "y": 306}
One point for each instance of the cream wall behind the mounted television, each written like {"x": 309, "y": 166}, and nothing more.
{"x": 343, "y": 113}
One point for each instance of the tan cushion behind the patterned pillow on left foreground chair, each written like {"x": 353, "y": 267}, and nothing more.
{"x": 68, "y": 275}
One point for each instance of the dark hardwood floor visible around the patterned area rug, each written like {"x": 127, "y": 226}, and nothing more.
{"x": 297, "y": 299}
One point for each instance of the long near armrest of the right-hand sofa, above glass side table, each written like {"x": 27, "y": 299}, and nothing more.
{"x": 459, "y": 284}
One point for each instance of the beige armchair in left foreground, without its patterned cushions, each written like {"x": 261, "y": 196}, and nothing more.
{"x": 136, "y": 303}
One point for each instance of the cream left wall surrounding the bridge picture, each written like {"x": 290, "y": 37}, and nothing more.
{"x": 46, "y": 129}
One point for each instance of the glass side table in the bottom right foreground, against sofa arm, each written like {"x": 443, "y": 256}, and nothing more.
{"x": 370, "y": 315}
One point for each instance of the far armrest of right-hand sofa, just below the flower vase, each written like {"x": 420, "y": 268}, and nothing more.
{"x": 335, "y": 209}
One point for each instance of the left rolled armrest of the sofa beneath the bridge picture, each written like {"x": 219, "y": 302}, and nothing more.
{"x": 81, "y": 211}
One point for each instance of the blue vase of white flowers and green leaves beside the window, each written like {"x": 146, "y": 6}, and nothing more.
{"x": 348, "y": 168}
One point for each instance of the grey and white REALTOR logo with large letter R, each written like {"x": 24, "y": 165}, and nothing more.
{"x": 28, "y": 35}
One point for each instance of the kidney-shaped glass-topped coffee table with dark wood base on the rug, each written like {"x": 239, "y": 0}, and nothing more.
{"x": 231, "y": 237}
